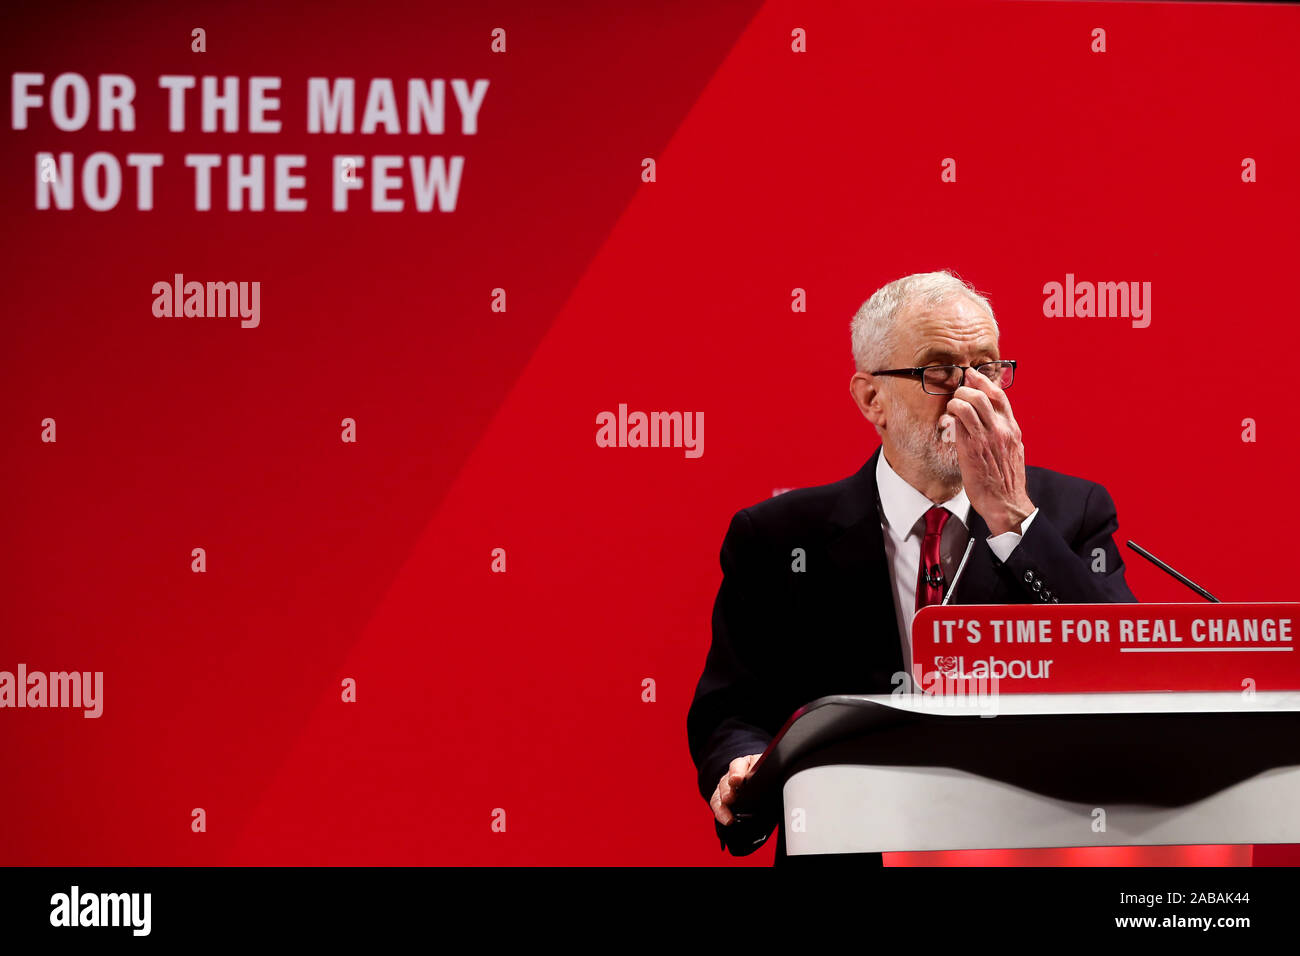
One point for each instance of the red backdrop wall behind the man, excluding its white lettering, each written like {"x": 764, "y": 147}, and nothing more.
{"x": 476, "y": 429}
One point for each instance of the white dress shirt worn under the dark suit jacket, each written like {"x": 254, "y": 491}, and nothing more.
{"x": 903, "y": 520}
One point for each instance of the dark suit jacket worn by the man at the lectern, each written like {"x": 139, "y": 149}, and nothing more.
{"x": 785, "y": 639}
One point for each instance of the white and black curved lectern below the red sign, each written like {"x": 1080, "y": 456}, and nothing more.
{"x": 909, "y": 772}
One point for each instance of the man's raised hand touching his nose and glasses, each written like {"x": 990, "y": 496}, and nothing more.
{"x": 991, "y": 455}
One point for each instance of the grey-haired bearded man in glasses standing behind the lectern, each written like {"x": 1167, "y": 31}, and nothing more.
{"x": 887, "y": 542}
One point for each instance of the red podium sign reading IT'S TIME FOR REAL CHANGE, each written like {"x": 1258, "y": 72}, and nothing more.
{"x": 991, "y": 650}
